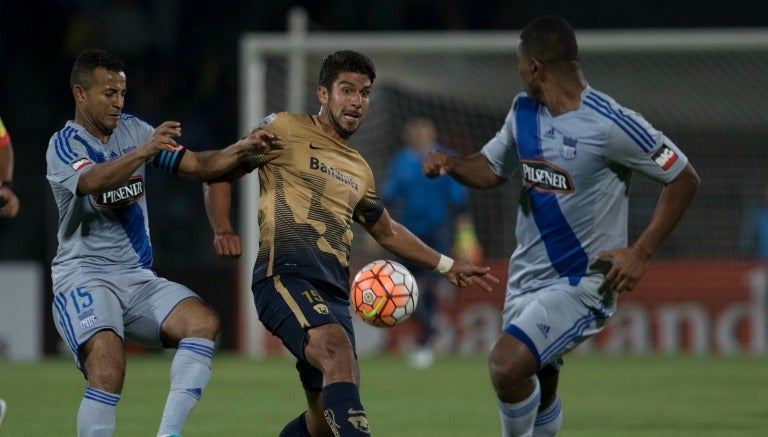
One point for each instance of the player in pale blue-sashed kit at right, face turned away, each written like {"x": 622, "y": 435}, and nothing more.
{"x": 575, "y": 149}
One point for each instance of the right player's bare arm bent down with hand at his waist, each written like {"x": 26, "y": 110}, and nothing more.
{"x": 629, "y": 263}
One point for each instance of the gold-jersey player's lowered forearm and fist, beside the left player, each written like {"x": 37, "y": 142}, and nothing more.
{"x": 217, "y": 195}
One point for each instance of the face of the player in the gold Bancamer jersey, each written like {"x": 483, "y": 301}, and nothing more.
{"x": 344, "y": 107}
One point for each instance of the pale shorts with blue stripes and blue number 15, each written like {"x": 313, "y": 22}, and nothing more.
{"x": 132, "y": 303}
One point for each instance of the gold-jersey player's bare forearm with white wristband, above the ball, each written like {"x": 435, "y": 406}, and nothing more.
{"x": 397, "y": 239}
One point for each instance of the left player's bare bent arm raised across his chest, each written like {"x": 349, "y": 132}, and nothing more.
{"x": 113, "y": 173}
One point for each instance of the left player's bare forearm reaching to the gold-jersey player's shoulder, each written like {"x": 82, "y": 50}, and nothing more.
{"x": 211, "y": 164}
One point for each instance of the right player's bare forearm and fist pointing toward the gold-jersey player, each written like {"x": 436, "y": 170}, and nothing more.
{"x": 472, "y": 170}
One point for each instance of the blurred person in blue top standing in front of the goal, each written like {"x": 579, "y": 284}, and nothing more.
{"x": 408, "y": 192}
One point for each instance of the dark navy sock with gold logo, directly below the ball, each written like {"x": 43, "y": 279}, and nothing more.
{"x": 343, "y": 410}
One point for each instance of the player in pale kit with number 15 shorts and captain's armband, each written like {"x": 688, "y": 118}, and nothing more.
{"x": 104, "y": 289}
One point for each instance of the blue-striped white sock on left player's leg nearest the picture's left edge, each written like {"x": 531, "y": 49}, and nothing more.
{"x": 96, "y": 417}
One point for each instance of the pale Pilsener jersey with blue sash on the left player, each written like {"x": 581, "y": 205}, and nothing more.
{"x": 108, "y": 231}
